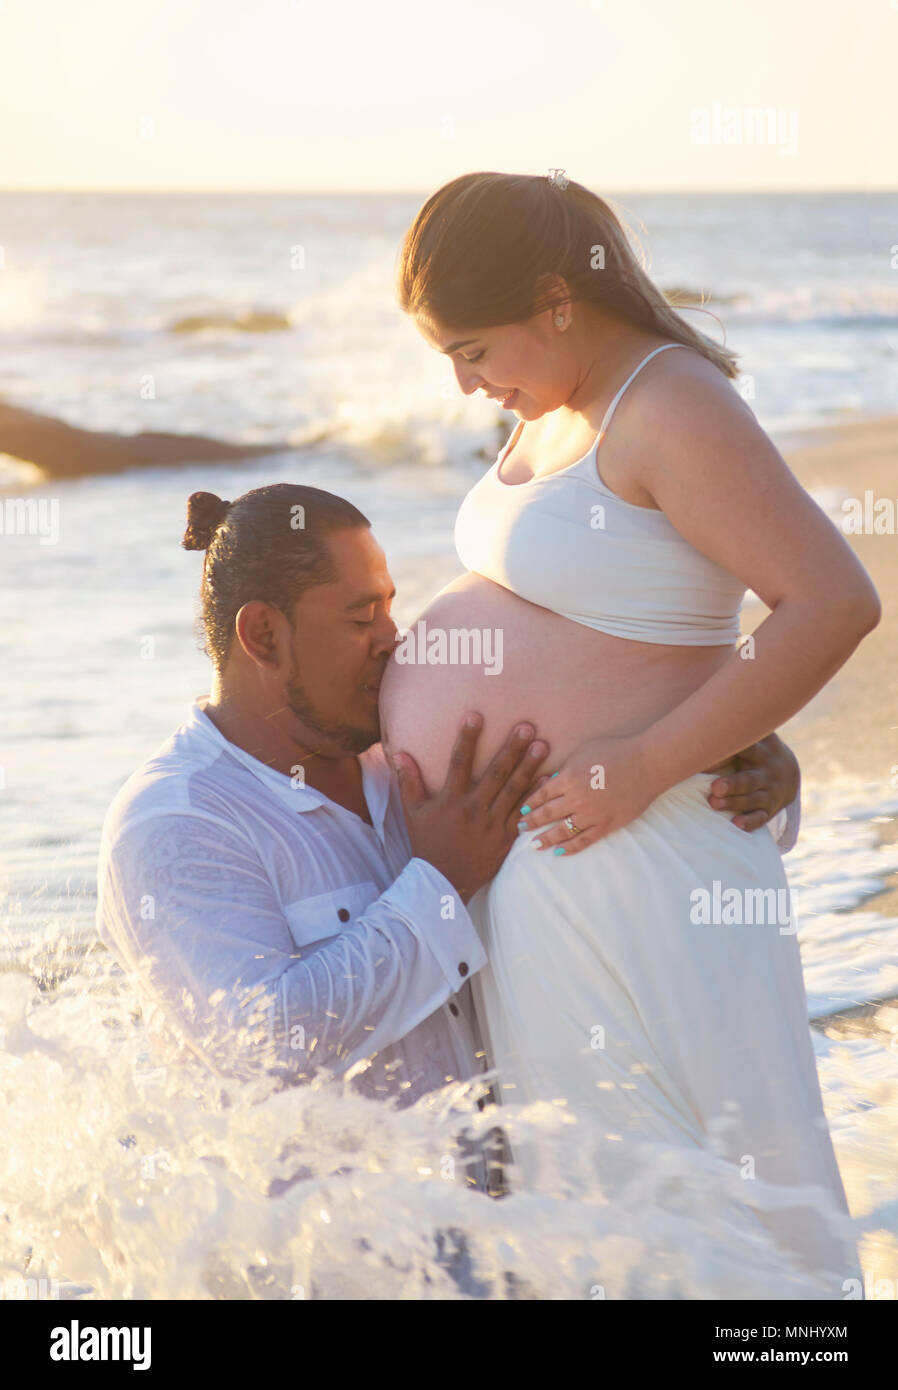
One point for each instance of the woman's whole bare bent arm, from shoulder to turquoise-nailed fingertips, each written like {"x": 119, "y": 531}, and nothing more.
{"x": 708, "y": 465}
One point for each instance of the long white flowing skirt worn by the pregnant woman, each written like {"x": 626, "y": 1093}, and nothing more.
{"x": 654, "y": 983}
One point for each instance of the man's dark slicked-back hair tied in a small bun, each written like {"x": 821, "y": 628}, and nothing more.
{"x": 269, "y": 546}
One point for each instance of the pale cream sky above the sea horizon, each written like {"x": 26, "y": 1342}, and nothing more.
{"x": 401, "y": 95}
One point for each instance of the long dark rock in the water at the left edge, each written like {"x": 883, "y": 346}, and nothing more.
{"x": 69, "y": 452}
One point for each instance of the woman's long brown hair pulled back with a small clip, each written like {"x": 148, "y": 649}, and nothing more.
{"x": 483, "y": 245}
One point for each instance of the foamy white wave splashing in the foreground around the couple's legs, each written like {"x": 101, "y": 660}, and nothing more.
{"x": 158, "y": 1181}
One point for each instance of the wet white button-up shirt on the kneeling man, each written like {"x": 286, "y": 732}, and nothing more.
{"x": 280, "y": 931}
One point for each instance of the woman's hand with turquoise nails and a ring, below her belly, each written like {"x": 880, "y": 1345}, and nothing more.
{"x": 603, "y": 787}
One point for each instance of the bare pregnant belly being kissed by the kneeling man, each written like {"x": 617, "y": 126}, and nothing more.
{"x": 480, "y": 647}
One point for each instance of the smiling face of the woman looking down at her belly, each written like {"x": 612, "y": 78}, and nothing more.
{"x": 526, "y": 368}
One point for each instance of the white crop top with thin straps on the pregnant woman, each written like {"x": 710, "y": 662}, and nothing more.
{"x": 569, "y": 544}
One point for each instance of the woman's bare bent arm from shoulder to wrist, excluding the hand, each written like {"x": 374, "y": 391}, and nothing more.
{"x": 728, "y": 490}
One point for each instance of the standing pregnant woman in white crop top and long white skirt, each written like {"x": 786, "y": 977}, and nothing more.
{"x": 643, "y": 963}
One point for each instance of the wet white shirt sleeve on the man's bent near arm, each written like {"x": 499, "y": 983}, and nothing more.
{"x": 186, "y": 901}
